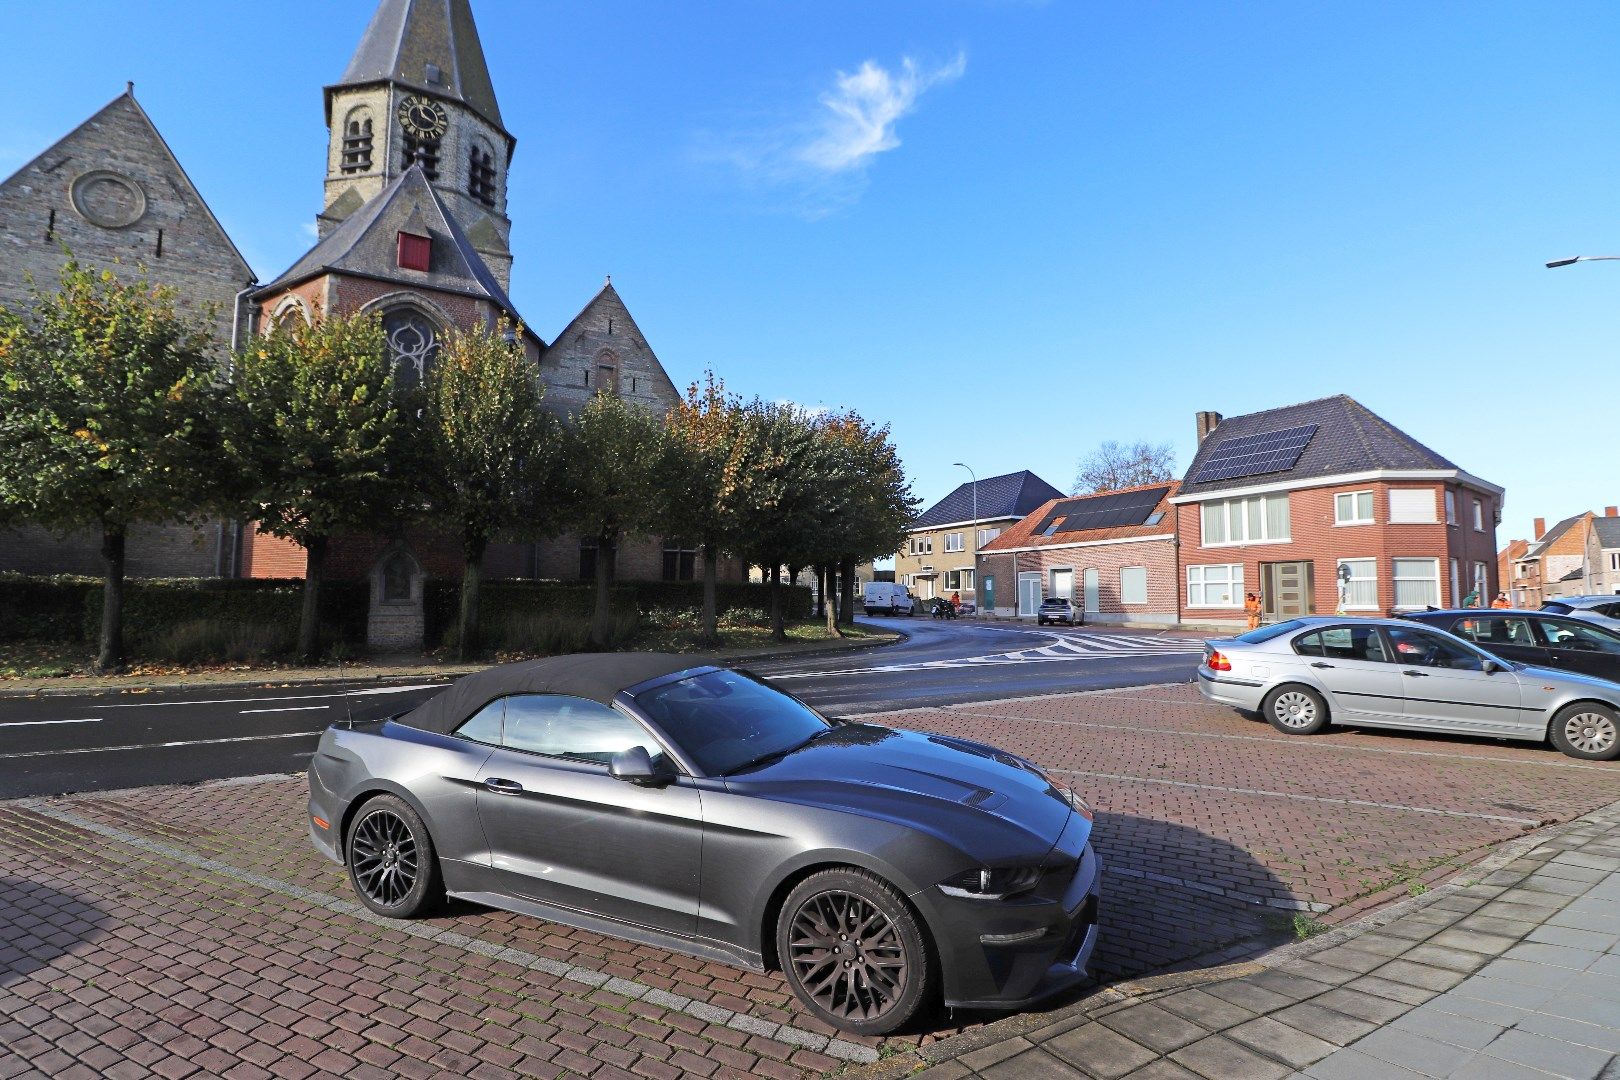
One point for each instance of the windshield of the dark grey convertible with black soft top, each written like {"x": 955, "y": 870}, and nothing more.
{"x": 727, "y": 721}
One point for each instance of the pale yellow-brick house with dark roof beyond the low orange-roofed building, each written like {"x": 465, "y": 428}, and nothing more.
{"x": 944, "y": 543}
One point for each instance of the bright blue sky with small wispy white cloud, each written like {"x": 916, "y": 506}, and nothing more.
{"x": 1008, "y": 229}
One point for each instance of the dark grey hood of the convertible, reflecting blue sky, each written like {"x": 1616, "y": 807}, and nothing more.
{"x": 978, "y": 797}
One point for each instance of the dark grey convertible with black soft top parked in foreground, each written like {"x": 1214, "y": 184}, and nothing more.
{"x": 701, "y": 810}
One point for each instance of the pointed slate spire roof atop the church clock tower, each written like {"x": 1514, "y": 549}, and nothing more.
{"x": 406, "y": 36}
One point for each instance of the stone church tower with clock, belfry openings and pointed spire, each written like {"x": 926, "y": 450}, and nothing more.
{"x": 419, "y": 93}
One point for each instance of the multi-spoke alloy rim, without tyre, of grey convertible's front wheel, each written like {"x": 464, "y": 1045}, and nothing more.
{"x": 848, "y": 956}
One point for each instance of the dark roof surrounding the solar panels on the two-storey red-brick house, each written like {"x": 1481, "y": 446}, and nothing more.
{"x": 1349, "y": 440}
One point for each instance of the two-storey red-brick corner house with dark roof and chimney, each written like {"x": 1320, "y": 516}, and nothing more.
{"x": 1324, "y": 508}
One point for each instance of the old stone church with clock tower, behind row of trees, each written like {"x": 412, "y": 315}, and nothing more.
{"x": 414, "y": 226}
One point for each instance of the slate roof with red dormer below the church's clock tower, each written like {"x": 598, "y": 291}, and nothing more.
{"x": 367, "y": 245}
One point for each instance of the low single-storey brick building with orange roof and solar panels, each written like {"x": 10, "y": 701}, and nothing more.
{"x": 1114, "y": 555}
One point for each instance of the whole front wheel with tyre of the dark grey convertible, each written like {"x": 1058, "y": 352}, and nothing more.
{"x": 853, "y": 953}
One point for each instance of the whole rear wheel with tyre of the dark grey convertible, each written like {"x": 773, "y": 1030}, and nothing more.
{"x": 391, "y": 861}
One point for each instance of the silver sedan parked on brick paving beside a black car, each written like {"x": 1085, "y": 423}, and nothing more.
{"x": 1389, "y": 673}
